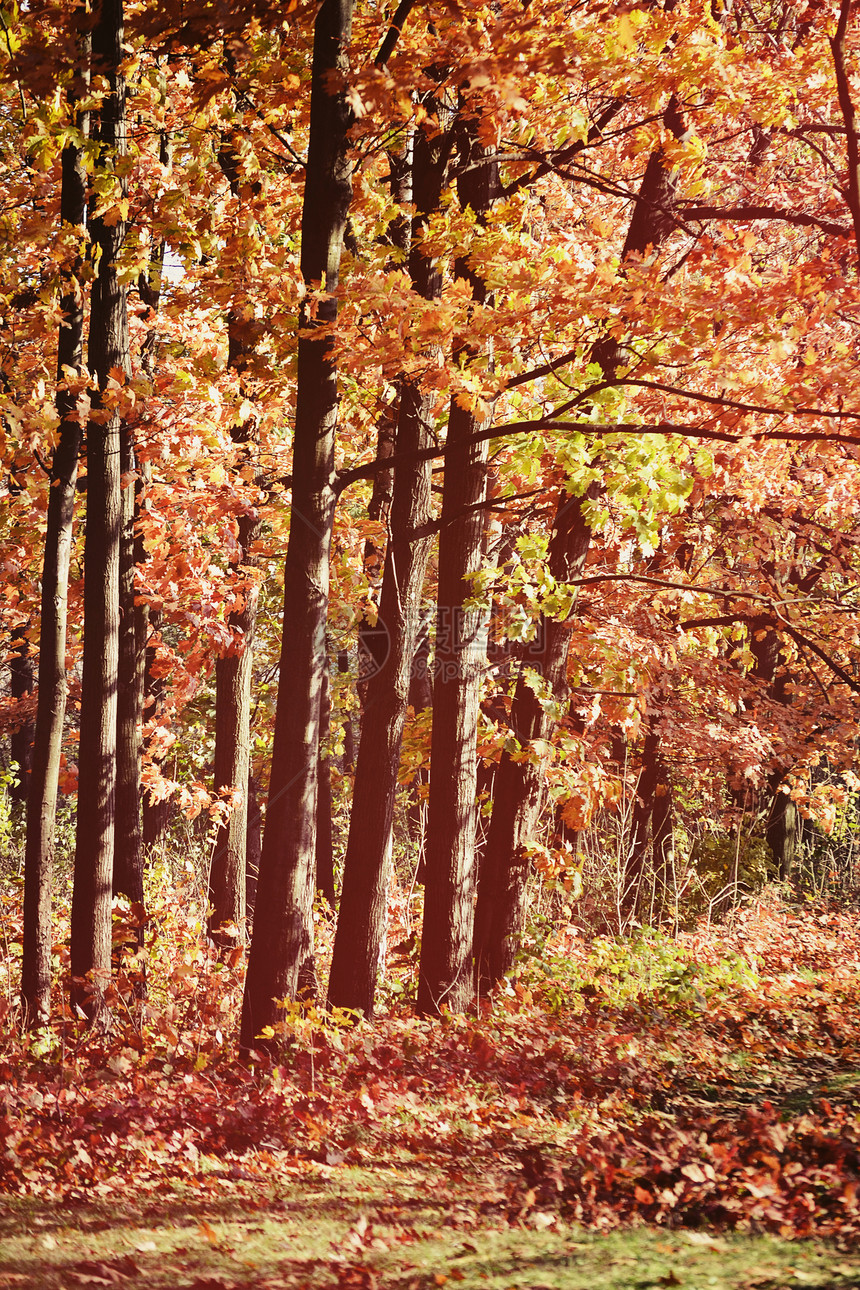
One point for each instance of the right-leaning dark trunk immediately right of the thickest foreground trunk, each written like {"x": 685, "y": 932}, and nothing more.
{"x": 362, "y": 923}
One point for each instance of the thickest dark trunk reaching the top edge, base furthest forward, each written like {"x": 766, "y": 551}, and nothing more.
{"x": 282, "y": 957}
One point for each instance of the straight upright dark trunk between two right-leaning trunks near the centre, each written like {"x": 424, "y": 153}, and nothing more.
{"x": 445, "y": 976}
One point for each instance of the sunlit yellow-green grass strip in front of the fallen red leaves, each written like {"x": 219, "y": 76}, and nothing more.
{"x": 376, "y": 1227}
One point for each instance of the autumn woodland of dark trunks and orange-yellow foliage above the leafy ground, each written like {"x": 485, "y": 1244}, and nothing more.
{"x": 430, "y": 451}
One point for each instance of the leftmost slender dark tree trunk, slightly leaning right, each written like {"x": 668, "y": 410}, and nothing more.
{"x": 51, "y": 711}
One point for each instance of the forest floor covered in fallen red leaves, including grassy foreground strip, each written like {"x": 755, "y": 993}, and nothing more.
{"x": 629, "y": 1114}
